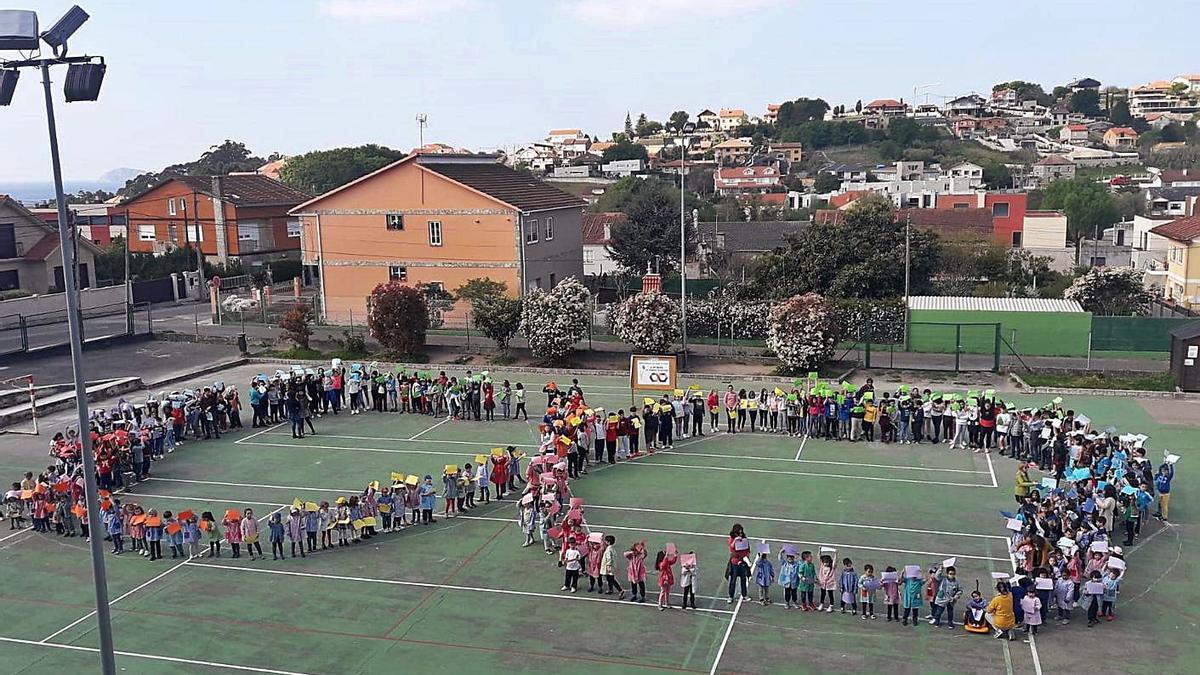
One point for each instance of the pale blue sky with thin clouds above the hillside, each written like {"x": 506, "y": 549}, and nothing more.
{"x": 292, "y": 76}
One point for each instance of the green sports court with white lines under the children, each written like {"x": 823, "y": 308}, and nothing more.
{"x": 464, "y": 596}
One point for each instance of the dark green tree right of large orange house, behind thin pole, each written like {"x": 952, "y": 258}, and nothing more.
{"x": 651, "y": 234}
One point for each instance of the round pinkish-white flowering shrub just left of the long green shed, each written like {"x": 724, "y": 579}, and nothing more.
{"x": 802, "y": 332}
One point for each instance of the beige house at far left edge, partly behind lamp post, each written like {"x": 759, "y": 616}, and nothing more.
{"x": 31, "y": 256}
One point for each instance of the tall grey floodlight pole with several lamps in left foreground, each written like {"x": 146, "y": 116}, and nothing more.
{"x": 19, "y": 32}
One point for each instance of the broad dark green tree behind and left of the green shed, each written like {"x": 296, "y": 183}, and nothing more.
{"x": 861, "y": 256}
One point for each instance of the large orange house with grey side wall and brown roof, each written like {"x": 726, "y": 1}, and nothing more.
{"x": 443, "y": 220}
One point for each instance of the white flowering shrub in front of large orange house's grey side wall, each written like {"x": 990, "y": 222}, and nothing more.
{"x": 555, "y": 321}
